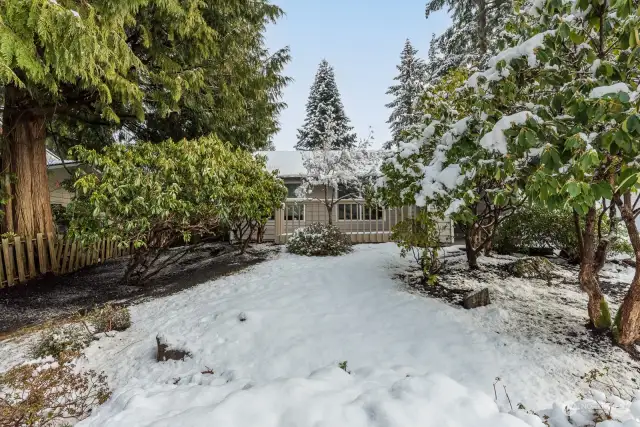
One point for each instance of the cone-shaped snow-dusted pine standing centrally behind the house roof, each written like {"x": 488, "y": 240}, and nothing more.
{"x": 324, "y": 106}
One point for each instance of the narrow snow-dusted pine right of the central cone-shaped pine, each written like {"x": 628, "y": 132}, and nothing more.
{"x": 408, "y": 90}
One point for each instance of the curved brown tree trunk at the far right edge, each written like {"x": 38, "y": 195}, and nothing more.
{"x": 629, "y": 327}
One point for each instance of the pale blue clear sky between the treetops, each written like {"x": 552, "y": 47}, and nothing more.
{"x": 362, "y": 40}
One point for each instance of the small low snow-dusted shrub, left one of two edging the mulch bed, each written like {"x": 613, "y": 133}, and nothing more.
{"x": 57, "y": 341}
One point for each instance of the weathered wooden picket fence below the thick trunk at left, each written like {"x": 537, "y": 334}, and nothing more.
{"x": 24, "y": 259}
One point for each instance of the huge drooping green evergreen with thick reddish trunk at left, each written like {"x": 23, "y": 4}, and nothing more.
{"x": 76, "y": 71}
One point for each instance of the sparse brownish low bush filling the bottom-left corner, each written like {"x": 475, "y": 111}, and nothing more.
{"x": 47, "y": 392}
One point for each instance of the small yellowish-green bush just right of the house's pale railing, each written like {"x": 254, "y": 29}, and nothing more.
{"x": 419, "y": 237}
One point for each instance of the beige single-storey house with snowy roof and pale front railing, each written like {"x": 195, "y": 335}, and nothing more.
{"x": 362, "y": 223}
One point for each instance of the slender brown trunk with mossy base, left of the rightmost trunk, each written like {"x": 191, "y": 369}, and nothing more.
{"x": 588, "y": 275}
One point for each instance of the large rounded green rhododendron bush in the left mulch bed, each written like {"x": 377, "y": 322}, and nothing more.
{"x": 158, "y": 196}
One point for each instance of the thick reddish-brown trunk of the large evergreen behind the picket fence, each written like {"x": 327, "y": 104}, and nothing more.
{"x": 24, "y": 156}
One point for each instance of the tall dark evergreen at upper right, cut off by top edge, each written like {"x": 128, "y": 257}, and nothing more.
{"x": 472, "y": 37}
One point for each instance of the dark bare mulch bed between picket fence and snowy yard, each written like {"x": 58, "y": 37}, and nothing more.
{"x": 55, "y": 297}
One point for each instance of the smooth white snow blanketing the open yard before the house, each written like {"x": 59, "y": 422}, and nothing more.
{"x": 412, "y": 360}
